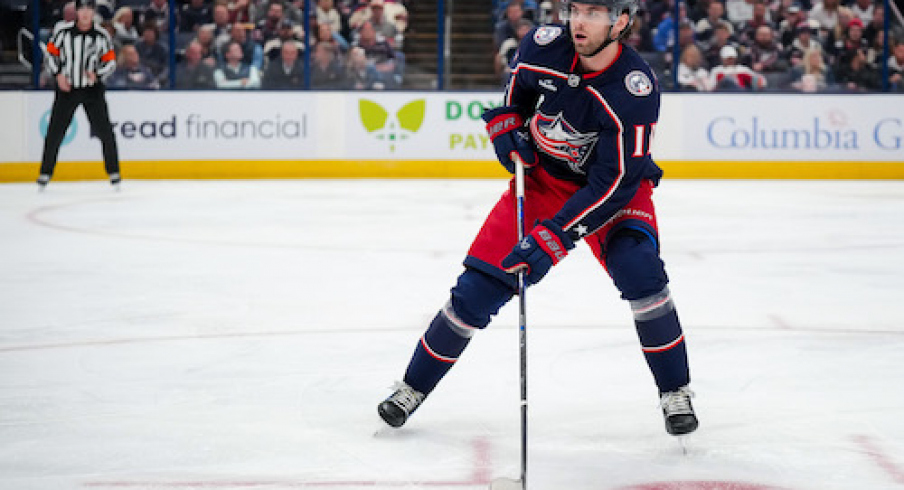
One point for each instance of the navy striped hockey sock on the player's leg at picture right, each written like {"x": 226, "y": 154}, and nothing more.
{"x": 662, "y": 340}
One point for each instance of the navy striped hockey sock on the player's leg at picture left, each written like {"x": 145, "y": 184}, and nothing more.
{"x": 438, "y": 350}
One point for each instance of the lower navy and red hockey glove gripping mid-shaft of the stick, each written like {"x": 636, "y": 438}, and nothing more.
{"x": 543, "y": 248}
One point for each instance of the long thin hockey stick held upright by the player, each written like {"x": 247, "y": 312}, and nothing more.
{"x": 508, "y": 483}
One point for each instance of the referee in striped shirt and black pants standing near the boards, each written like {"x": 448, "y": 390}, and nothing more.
{"x": 80, "y": 54}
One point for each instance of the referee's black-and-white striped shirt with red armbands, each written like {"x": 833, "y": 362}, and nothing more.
{"x": 74, "y": 53}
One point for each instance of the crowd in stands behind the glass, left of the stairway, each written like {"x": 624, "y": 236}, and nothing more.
{"x": 250, "y": 44}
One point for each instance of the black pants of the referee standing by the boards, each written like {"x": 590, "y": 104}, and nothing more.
{"x": 64, "y": 106}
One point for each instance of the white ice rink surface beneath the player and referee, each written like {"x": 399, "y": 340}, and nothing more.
{"x": 238, "y": 335}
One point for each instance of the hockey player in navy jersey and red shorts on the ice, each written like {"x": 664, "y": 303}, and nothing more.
{"x": 580, "y": 110}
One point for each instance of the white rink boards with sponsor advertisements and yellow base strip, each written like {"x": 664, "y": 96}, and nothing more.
{"x": 219, "y": 134}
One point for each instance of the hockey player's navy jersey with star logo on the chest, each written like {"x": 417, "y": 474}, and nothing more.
{"x": 593, "y": 129}
